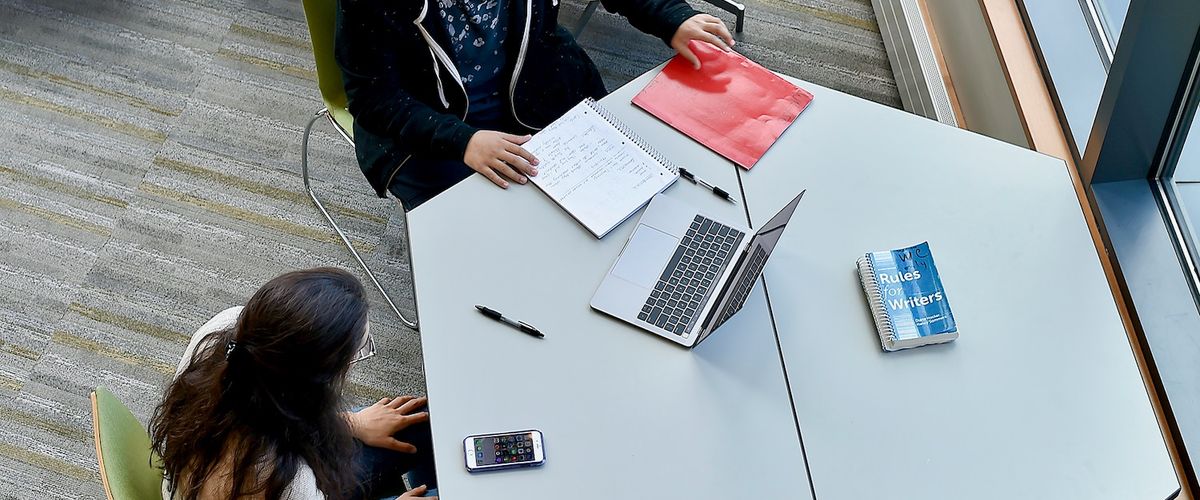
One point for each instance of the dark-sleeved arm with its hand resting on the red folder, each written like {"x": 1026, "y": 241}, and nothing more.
{"x": 675, "y": 22}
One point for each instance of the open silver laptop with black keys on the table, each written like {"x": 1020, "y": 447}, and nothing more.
{"x": 682, "y": 274}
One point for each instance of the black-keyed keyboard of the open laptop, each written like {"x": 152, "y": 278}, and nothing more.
{"x": 701, "y": 257}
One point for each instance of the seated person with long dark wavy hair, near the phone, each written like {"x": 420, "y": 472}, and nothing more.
{"x": 256, "y": 407}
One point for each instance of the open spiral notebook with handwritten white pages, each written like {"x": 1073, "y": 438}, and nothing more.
{"x": 597, "y": 170}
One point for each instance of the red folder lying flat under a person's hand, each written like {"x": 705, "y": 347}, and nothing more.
{"x": 731, "y": 105}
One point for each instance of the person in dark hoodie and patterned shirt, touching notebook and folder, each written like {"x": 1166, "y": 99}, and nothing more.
{"x": 445, "y": 88}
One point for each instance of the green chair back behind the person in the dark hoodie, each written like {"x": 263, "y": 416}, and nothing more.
{"x": 322, "y": 17}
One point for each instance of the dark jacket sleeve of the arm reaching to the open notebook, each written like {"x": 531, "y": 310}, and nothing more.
{"x": 371, "y": 73}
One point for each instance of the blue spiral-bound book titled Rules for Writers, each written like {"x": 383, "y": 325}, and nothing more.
{"x": 907, "y": 297}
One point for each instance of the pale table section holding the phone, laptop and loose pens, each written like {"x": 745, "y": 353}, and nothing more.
{"x": 626, "y": 414}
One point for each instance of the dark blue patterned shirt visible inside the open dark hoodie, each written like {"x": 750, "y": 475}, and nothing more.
{"x": 478, "y": 31}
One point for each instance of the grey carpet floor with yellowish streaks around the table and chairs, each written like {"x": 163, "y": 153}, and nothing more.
{"x": 149, "y": 179}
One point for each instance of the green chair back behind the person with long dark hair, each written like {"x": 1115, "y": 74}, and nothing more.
{"x": 128, "y": 466}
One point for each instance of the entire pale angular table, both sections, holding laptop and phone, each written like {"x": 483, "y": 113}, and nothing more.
{"x": 1040, "y": 399}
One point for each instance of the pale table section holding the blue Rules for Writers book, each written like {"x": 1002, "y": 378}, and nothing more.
{"x": 1040, "y": 397}
